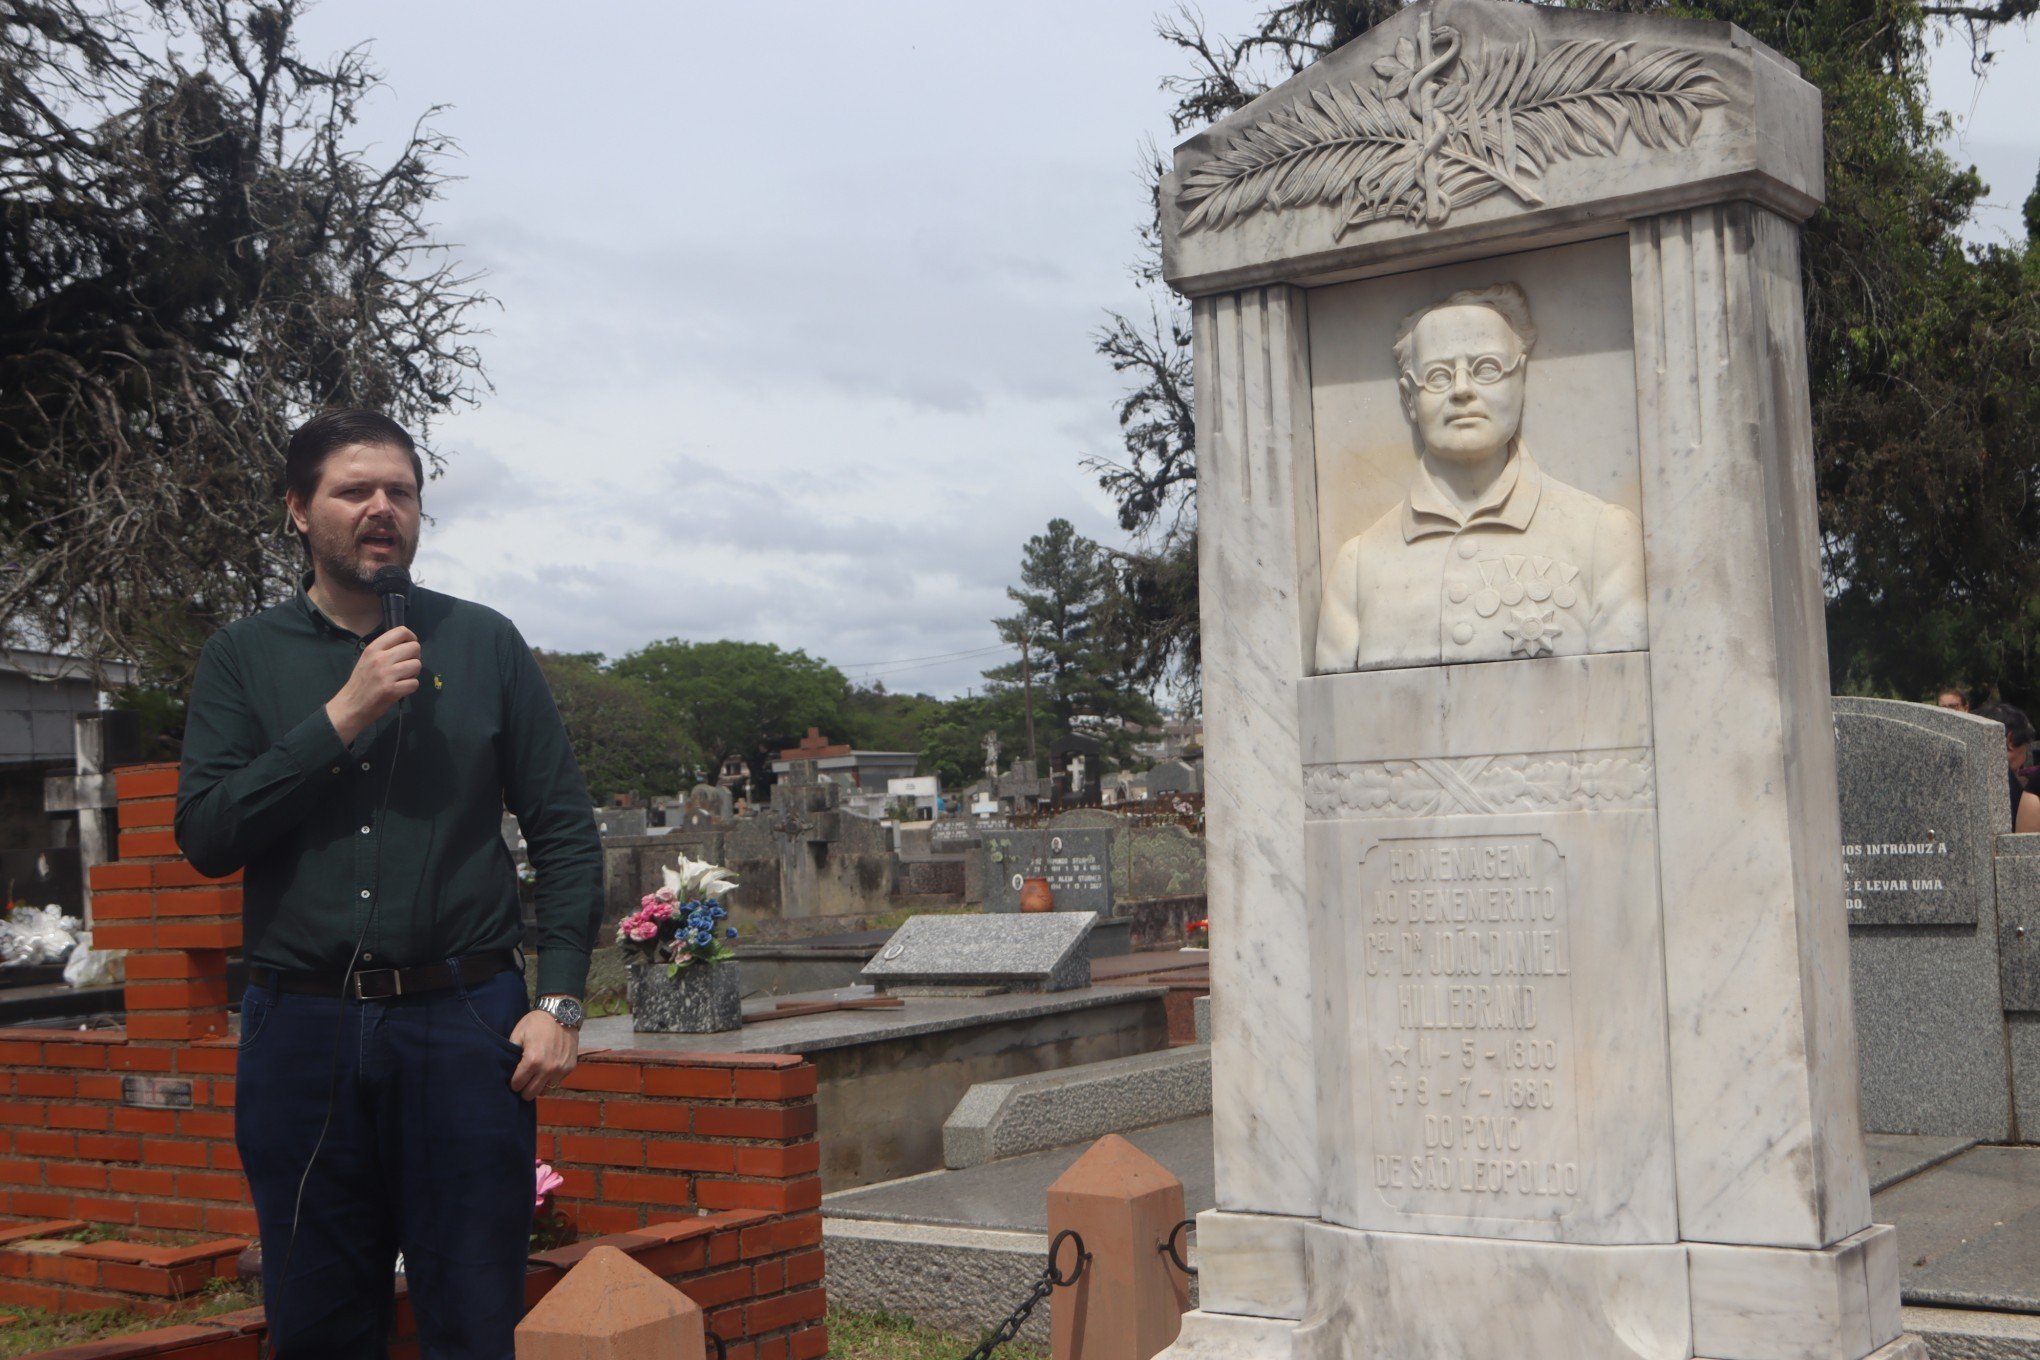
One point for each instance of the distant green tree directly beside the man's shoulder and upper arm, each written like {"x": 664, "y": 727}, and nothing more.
{"x": 623, "y": 737}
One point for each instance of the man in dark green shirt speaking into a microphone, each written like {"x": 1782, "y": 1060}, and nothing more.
{"x": 389, "y": 1051}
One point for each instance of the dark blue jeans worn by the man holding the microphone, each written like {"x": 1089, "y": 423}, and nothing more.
{"x": 429, "y": 1153}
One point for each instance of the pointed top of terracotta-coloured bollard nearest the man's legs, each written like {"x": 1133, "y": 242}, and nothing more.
{"x": 611, "y": 1308}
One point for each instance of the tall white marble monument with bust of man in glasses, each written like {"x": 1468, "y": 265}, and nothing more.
{"x": 1531, "y": 965}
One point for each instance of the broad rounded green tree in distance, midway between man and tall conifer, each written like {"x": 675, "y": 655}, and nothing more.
{"x": 742, "y": 698}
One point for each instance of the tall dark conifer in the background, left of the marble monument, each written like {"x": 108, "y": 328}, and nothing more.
{"x": 1064, "y": 594}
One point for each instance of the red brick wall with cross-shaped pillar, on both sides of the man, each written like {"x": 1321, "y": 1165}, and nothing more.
{"x": 642, "y": 1137}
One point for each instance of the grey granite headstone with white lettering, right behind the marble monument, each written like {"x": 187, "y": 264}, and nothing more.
{"x": 1923, "y": 800}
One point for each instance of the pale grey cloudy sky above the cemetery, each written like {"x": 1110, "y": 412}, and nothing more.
{"x": 795, "y": 303}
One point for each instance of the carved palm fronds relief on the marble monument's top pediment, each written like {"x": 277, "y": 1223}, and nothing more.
{"x": 1447, "y": 129}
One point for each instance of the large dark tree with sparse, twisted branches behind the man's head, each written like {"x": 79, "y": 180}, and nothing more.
{"x": 195, "y": 256}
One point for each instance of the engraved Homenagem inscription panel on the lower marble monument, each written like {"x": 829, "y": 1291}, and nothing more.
{"x": 1470, "y": 1027}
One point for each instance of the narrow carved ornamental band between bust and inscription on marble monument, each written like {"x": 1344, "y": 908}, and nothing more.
{"x": 1549, "y": 782}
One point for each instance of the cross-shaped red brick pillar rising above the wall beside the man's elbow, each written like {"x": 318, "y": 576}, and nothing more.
{"x": 174, "y": 923}
